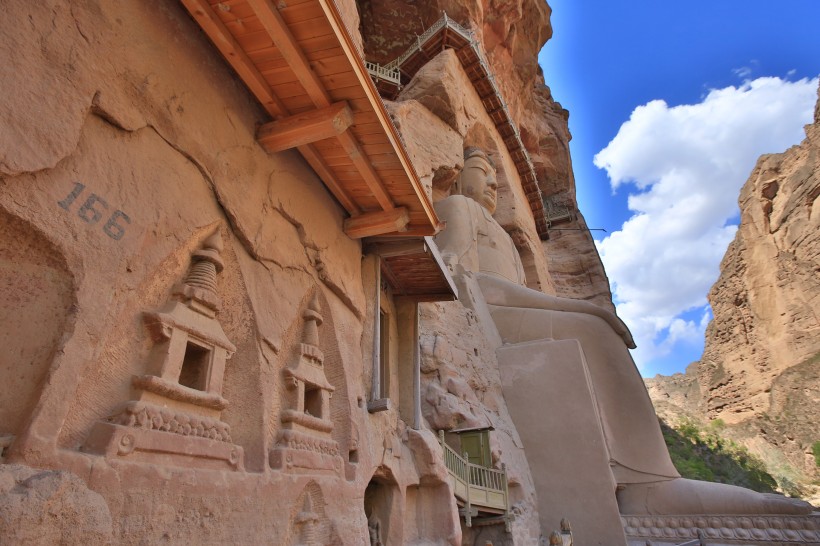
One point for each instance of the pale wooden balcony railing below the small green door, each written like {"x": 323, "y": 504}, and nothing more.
{"x": 476, "y": 485}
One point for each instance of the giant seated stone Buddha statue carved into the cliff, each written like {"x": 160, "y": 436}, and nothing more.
{"x": 475, "y": 245}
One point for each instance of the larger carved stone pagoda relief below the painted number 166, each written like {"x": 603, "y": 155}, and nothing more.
{"x": 175, "y": 416}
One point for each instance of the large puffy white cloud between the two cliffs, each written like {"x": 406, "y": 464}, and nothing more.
{"x": 684, "y": 167}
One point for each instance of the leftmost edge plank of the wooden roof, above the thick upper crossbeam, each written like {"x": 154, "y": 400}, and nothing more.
{"x": 233, "y": 53}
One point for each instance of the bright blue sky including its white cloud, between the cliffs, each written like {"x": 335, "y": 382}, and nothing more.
{"x": 677, "y": 101}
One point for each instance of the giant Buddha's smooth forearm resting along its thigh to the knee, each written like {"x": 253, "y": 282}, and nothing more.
{"x": 504, "y": 293}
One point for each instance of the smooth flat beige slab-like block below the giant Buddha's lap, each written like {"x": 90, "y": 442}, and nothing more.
{"x": 550, "y": 400}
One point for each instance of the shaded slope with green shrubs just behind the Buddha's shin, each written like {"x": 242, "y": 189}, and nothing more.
{"x": 703, "y": 455}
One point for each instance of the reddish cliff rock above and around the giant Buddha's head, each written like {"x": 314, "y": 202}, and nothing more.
{"x": 511, "y": 34}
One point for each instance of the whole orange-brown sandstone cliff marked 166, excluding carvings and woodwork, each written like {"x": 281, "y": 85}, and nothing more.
{"x": 126, "y": 142}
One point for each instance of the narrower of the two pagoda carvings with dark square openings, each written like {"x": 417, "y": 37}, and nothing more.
{"x": 305, "y": 443}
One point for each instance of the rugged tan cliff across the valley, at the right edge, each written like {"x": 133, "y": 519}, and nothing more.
{"x": 759, "y": 371}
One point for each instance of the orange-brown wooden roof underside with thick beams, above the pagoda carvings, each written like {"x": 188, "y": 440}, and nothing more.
{"x": 299, "y": 61}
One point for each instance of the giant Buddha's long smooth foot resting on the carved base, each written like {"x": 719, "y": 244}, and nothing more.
{"x": 681, "y": 496}
